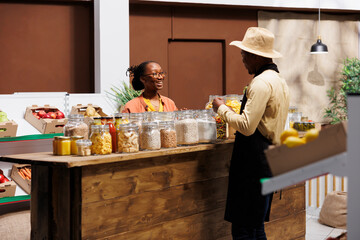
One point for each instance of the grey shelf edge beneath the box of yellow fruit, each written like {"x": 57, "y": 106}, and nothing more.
{"x": 335, "y": 165}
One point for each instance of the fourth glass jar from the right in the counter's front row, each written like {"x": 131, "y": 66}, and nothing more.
{"x": 150, "y": 136}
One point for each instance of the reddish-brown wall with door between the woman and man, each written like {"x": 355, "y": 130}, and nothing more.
{"x": 160, "y": 32}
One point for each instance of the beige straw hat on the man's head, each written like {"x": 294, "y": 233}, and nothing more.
{"x": 258, "y": 41}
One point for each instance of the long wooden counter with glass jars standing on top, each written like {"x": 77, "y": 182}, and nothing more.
{"x": 178, "y": 193}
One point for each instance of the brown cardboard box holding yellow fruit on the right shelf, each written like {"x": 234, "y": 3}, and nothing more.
{"x": 331, "y": 141}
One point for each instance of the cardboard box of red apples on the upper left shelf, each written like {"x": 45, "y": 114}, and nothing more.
{"x": 46, "y": 125}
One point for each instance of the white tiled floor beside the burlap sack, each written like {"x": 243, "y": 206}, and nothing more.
{"x": 317, "y": 231}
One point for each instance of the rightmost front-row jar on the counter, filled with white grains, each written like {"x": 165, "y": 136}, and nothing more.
{"x": 206, "y": 127}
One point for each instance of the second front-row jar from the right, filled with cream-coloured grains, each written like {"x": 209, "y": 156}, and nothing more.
{"x": 186, "y": 128}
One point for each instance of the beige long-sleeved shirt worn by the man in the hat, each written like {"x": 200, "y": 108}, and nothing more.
{"x": 266, "y": 107}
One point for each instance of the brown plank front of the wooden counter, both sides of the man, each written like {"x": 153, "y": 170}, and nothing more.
{"x": 174, "y": 197}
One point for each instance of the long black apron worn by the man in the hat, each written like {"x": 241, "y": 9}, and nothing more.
{"x": 245, "y": 205}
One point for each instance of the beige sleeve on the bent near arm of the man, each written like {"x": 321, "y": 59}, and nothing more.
{"x": 258, "y": 95}
